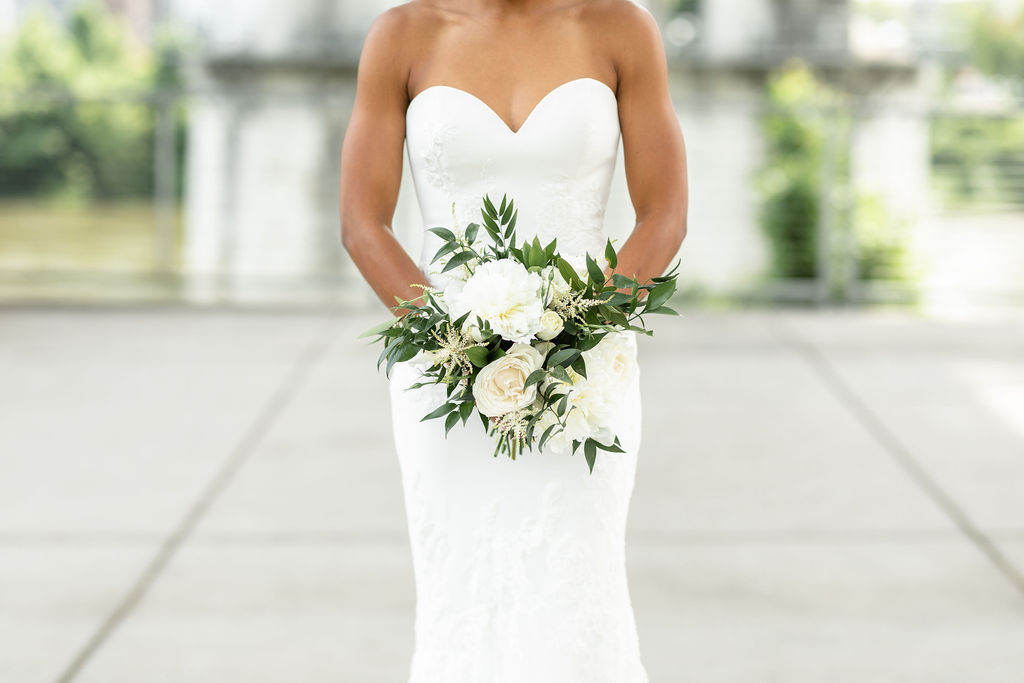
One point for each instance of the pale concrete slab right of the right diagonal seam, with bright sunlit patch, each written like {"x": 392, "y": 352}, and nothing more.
{"x": 953, "y": 397}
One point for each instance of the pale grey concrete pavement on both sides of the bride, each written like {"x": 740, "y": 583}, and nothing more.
{"x": 212, "y": 496}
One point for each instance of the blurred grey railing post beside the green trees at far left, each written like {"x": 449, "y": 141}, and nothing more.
{"x": 164, "y": 181}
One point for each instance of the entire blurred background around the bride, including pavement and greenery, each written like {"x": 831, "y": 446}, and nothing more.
{"x": 197, "y": 475}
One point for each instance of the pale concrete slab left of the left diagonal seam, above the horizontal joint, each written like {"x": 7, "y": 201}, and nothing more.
{"x": 115, "y": 422}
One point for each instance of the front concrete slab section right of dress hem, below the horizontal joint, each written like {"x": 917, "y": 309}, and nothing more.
{"x": 928, "y": 612}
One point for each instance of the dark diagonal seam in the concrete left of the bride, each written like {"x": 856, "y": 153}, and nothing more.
{"x": 251, "y": 439}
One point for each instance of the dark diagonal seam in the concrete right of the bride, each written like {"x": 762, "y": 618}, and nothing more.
{"x": 891, "y": 444}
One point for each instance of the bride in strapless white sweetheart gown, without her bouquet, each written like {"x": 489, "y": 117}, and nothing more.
{"x": 520, "y": 566}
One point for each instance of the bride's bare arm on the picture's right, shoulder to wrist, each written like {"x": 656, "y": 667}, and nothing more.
{"x": 655, "y": 154}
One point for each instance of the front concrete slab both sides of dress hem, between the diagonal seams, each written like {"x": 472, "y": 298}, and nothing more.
{"x": 930, "y": 611}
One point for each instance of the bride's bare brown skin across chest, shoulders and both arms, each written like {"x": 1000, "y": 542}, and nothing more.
{"x": 509, "y": 54}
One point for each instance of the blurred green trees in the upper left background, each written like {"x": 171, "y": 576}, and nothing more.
{"x": 76, "y": 111}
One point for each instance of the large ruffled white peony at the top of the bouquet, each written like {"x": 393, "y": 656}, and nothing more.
{"x": 504, "y": 294}
